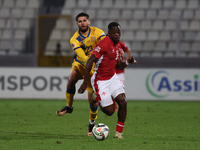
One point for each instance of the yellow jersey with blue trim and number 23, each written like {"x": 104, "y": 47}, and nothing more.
{"x": 84, "y": 45}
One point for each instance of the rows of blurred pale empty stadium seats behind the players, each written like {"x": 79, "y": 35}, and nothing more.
{"x": 158, "y": 28}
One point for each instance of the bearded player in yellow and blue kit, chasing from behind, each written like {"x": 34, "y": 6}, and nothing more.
{"x": 83, "y": 42}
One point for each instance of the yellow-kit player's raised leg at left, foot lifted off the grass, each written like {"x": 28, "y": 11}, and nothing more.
{"x": 75, "y": 75}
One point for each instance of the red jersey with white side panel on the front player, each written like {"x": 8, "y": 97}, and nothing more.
{"x": 107, "y": 53}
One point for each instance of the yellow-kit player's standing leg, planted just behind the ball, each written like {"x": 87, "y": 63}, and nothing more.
{"x": 93, "y": 112}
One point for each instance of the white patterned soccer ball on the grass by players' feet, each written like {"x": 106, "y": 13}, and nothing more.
{"x": 100, "y": 131}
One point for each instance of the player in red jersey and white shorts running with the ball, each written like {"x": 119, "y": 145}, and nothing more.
{"x": 105, "y": 82}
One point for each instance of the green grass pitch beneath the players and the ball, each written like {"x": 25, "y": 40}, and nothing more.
{"x": 150, "y": 125}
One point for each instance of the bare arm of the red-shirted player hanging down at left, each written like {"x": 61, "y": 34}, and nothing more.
{"x": 88, "y": 68}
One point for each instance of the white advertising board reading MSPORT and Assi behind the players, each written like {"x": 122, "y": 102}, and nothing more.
{"x": 141, "y": 84}
